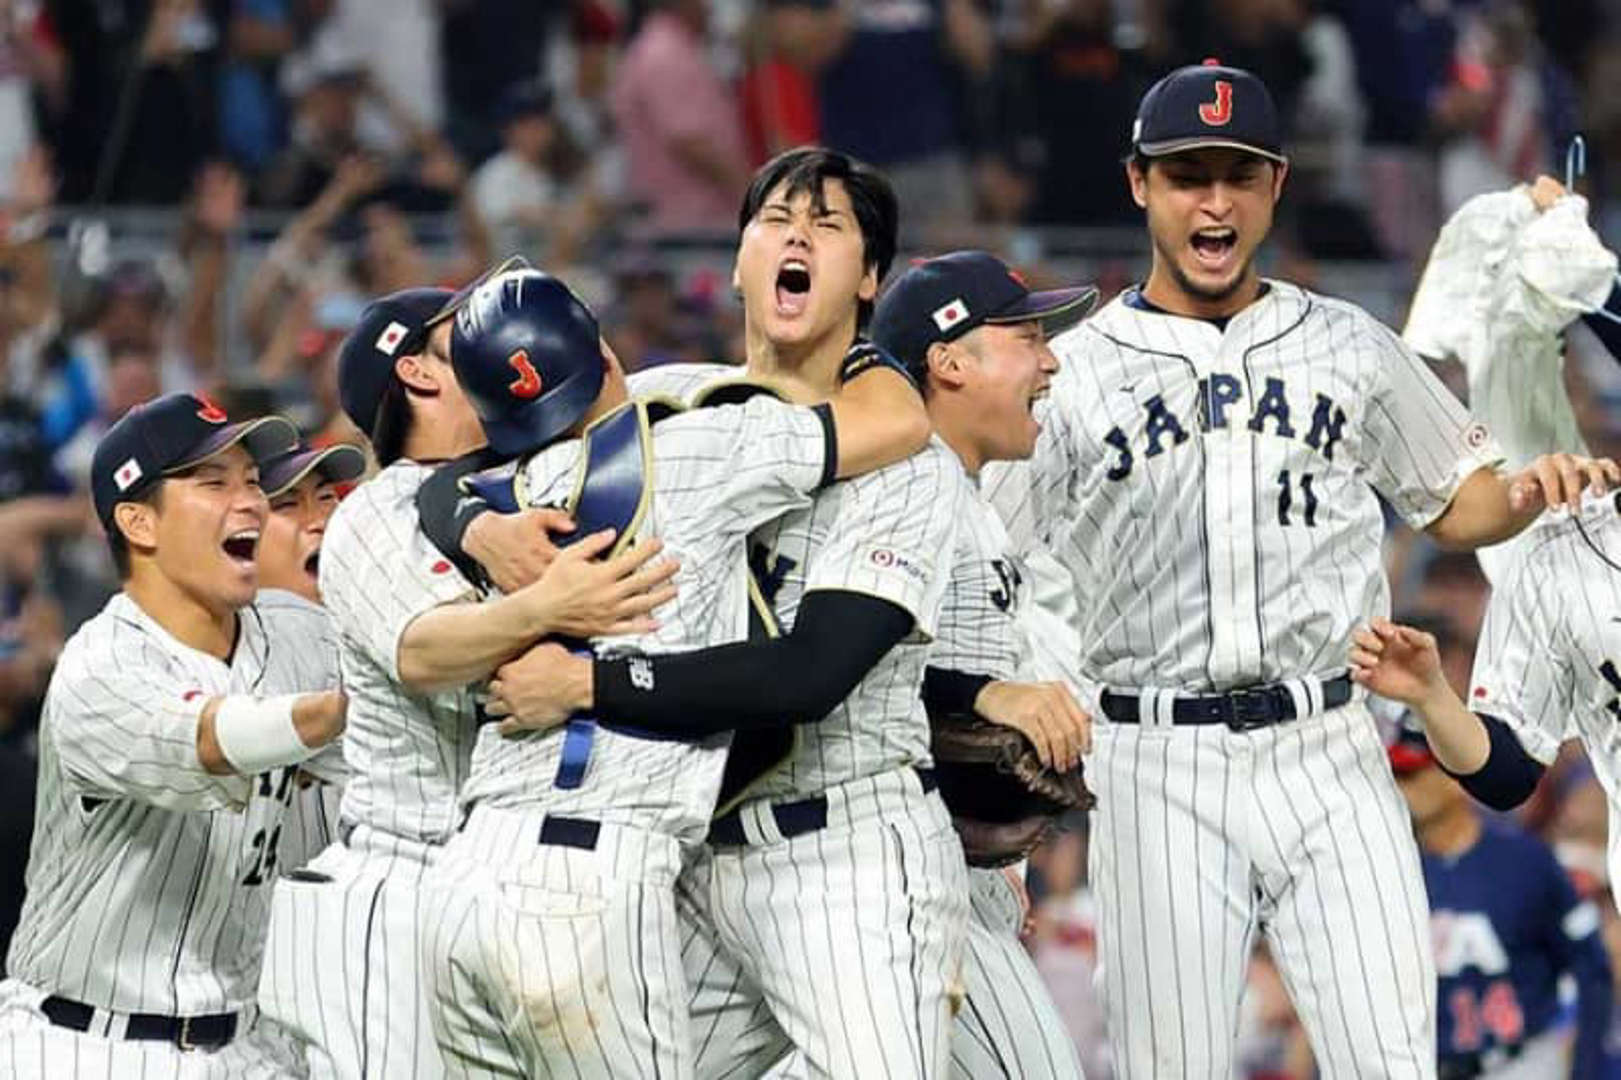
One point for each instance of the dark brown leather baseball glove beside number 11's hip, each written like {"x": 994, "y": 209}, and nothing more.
{"x": 1003, "y": 800}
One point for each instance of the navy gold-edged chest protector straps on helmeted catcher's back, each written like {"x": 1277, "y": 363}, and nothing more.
{"x": 612, "y": 491}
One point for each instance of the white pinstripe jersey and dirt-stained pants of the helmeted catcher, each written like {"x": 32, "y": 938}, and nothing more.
{"x": 601, "y": 925}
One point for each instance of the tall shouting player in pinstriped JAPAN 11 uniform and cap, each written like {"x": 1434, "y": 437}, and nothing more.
{"x": 1207, "y": 474}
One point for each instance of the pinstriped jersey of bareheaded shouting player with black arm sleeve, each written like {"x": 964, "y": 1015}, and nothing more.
{"x": 889, "y": 534}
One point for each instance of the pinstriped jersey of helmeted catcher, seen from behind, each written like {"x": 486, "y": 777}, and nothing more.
{"x": 717, "y": 474}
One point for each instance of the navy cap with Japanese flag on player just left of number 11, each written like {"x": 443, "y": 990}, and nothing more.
{"x": 946, "y": 298}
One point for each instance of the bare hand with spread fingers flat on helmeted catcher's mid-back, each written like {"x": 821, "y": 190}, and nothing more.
{"x": 583, "y": 596}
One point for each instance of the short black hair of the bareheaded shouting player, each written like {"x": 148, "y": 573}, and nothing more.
{"x": 806, "y": 171}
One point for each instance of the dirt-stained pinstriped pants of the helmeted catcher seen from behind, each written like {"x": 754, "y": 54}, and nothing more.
{"x": 557, "y": 961}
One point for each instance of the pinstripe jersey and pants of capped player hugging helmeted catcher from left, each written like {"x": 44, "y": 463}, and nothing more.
{"x": 341, "y": 951}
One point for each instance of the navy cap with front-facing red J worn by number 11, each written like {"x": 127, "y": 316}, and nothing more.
{"x": 1208, "y": 105}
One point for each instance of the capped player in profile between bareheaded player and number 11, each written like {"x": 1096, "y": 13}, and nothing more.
{"x": 983, "y": 367}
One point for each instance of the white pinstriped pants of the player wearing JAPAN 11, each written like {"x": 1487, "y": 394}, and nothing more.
{"x": 1204, "y": 838}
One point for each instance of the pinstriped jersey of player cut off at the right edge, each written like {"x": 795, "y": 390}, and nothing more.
{"x": 1550, "y": 651}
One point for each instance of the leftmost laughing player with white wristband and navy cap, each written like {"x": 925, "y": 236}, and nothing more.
{"x": 171, "y": 735}
